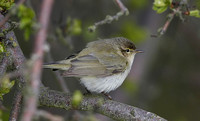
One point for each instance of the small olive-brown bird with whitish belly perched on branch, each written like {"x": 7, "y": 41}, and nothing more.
{"x": 102, "y": 66}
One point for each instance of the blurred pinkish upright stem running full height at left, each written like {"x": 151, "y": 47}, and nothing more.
{"x": 31, "y": 99}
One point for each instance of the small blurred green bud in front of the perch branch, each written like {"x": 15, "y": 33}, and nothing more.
{"x": 77, "y": 98}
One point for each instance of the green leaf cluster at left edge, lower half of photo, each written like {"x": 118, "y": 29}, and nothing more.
{"x": 5, "y": 86}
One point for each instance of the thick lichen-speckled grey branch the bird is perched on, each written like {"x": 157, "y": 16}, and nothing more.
{"x": 110, "y": 108}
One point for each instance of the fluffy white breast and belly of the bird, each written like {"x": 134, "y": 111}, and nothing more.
{"x": 106, "y": 84}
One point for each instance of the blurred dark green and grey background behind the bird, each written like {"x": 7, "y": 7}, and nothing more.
{"x": 165, "y": 79}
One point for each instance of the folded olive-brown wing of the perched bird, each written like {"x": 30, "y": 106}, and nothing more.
{"x": 95, "y": 65}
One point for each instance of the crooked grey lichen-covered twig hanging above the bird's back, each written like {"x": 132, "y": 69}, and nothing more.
{"x": 109, "y": 19}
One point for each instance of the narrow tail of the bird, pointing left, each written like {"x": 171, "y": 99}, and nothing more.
{"x": 59, "y": 65}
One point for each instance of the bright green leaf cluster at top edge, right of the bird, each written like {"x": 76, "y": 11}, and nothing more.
{"x": 161, "y": 5}
